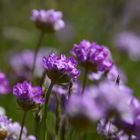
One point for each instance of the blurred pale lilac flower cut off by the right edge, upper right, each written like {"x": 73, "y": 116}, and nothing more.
{"x": 128, "y": 42}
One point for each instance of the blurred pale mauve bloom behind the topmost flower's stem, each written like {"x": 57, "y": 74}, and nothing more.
{"x": 22, "y": 62}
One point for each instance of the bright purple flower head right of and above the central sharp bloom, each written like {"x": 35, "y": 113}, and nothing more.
{"x": 92, "y": 56}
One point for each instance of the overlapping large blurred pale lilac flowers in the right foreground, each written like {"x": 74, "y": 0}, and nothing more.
{"x": 101, "y": 102}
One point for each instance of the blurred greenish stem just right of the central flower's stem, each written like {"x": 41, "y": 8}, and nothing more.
{"x": 58, "y": 116}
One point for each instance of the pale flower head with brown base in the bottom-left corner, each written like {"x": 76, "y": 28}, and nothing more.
{"x": 4, "y": 122}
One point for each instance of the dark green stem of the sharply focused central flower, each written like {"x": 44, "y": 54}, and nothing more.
{"x": 47, "y": 97}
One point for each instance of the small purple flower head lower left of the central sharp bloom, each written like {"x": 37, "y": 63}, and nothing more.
{"x": 27, "y": 95}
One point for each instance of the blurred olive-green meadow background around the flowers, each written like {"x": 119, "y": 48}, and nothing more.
{"x": 95, "y": 20}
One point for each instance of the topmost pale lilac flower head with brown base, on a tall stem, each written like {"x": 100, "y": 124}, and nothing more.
{"x": 48, "y": 20}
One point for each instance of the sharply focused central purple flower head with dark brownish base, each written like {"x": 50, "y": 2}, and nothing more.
{"x": 60, "y": 69}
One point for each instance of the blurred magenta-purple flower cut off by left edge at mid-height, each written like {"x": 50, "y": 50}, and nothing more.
{"x": 4, "y": 84}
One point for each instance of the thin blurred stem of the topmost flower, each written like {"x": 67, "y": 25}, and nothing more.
{"x": 36, "y": 51}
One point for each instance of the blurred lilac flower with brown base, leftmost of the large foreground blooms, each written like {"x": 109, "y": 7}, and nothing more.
{"x": 82, "y": 111}
